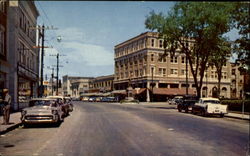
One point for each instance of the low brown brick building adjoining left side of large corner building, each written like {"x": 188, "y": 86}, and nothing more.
{"x": 103, "y": 84}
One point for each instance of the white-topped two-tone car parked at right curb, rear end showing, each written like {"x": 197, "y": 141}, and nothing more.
{"x": 209, "y": 106}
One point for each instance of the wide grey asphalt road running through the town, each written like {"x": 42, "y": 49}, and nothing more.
{"x": 130, "y": 130}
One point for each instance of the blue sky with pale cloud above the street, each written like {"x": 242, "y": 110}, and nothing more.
{"x": 90, "y": 30}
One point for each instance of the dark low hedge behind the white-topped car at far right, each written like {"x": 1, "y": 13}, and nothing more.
{"x": 236, "y": 105}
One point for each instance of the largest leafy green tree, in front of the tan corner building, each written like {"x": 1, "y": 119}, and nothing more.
{"x": 199, "y": 23}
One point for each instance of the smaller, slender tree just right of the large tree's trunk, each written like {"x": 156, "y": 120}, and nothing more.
{"x": 220, "y": 58}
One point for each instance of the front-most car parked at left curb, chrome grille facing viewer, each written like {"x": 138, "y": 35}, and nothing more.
{"x": 42, "y": 110}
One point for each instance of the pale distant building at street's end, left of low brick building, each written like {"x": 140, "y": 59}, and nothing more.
{"x": 74, "y": 86}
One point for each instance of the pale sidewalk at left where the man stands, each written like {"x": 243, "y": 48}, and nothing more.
{"x": 14, "y": 123}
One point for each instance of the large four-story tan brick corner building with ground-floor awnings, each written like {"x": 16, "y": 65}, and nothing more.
{"x": 138, "y": 62}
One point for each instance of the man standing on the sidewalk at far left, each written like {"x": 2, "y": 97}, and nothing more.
{"x": 6, "y": 108}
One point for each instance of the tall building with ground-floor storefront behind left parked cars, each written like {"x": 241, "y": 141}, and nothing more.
{"x": 23, "y": 57}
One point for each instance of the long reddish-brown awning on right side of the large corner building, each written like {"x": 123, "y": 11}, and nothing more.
{"x": 173, "y": 91}
